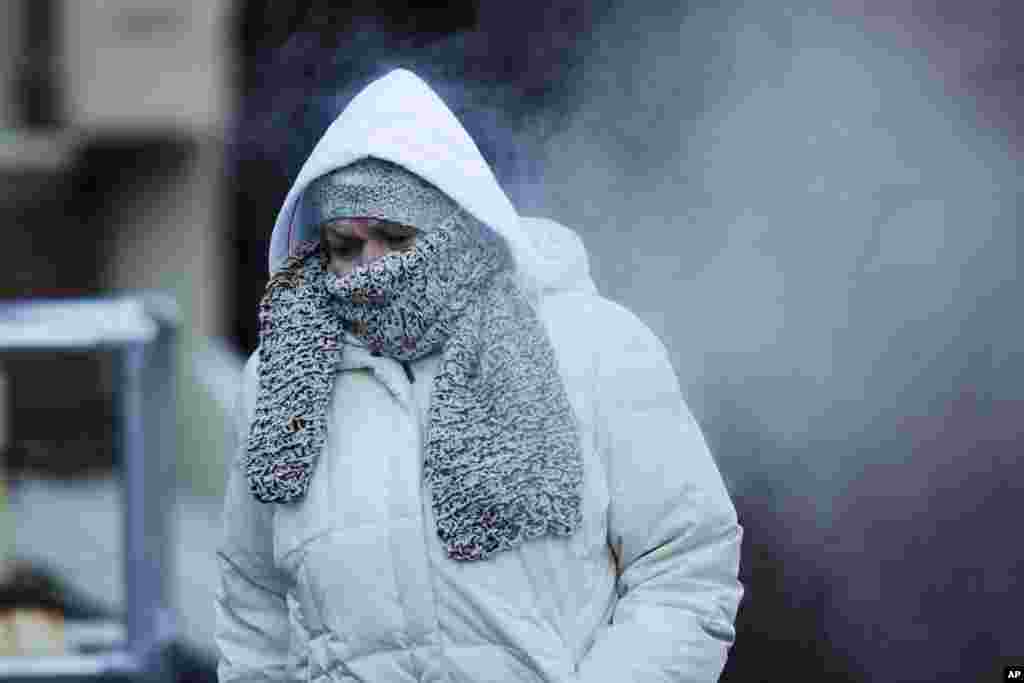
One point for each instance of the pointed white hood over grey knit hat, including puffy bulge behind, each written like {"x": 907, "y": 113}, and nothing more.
{"x": 400, "y": 119}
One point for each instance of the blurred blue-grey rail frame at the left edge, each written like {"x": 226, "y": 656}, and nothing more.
{"x": 141, "y": 331}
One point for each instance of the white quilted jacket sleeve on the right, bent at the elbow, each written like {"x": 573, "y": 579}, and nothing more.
{"x": 671, "y": 523}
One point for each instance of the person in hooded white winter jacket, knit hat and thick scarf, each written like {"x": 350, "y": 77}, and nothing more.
{"x": 457, "y": 461}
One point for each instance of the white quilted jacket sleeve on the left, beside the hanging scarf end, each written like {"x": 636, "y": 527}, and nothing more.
{"x": 252, "y": 623}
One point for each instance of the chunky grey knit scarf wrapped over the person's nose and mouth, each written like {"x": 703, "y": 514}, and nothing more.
{"x": 502, "y": 458}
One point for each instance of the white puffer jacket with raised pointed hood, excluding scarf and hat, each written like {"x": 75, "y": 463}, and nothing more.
{"x": 353, "y": 583}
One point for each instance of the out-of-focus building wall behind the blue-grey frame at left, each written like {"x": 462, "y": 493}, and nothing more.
{"x": 113, "y": 117}
